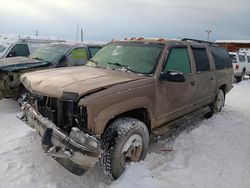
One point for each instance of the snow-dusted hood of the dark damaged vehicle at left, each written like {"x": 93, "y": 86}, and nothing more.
{"x": 19, "y": 63}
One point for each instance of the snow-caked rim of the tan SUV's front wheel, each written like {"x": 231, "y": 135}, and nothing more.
{"x": 132, "y": 149}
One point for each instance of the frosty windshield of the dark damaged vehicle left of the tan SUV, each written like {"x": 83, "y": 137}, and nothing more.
{"x": 50, "y": 53}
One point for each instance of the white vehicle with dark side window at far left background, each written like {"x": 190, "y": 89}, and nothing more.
{"x": 22, "y": 47}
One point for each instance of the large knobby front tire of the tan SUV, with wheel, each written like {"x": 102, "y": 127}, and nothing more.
{"x": 116, "y": 138}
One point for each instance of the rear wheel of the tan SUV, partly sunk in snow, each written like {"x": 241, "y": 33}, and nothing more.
{"x": 218, "y": 103}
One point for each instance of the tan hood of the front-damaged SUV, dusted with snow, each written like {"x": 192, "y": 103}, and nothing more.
{"x": 80, "y": 80}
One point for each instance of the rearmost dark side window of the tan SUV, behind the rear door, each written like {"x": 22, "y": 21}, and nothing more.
{"x": 221, "y": 57}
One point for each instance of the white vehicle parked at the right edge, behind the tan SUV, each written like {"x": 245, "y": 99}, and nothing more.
{"x": 241, "y": 64}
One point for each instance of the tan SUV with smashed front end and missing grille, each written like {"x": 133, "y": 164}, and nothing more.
{"x": 129, "y": 92}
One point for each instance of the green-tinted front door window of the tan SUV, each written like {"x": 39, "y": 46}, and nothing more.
{"x": 178, "y": 60}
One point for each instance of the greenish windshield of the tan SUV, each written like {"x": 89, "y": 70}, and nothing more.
{"x": 136, "y": 57}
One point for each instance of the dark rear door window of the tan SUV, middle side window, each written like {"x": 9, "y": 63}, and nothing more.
{"x": 201, "y": 59}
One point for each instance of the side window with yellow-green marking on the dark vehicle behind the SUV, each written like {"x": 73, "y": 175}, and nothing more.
{"x": 77, "y": 56}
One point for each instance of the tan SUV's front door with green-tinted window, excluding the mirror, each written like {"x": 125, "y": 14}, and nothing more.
{"x": 174, "y": 99}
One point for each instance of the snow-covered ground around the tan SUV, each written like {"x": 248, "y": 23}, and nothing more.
{"x": 215, "y": 154}
